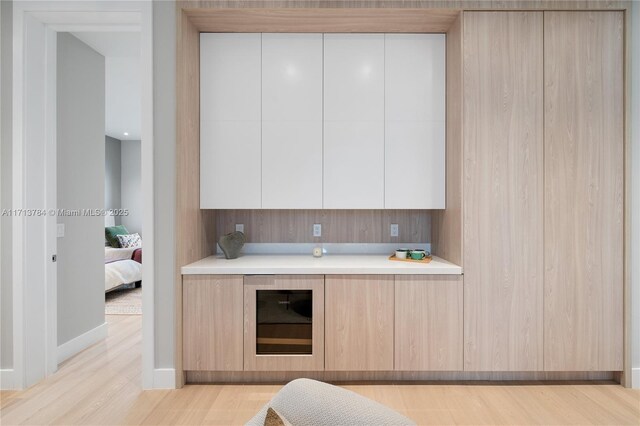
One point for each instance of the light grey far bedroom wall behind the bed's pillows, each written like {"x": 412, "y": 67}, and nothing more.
{"x": 131, "y": 185}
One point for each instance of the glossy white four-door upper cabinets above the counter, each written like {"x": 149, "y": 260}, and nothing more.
{"x": 333, "y": 121}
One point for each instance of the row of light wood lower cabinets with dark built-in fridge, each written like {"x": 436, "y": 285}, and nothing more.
{"x": 374, "y": 322}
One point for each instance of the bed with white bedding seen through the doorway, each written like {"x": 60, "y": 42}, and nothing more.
{"x": 122, "y": 266}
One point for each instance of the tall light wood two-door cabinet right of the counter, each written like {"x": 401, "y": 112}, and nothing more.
{"x": 543, "y": 191}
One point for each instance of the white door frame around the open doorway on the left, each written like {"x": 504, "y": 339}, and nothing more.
{"x": 34, "y": 277}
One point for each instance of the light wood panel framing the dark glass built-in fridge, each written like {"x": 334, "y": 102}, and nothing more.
{"x": 255, "y": 362}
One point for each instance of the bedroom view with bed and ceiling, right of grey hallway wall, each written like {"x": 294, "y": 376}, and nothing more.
{"x": 122, "y": 178}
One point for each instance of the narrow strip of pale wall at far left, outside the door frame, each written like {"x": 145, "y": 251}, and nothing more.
{"x": 6, "y": 294}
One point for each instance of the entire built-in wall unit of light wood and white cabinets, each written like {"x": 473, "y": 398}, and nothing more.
{"x": 535, "y": 202}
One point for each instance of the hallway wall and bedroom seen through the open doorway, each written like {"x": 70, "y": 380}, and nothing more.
{"x": 100, "y": 240}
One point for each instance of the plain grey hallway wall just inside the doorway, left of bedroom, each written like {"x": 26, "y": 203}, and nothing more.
{"x": 80, "y": 173}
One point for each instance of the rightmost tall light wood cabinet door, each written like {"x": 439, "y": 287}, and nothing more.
{"x": 584, "y": 198}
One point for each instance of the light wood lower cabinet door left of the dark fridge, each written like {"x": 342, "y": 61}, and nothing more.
{"x": 212, "y": 322}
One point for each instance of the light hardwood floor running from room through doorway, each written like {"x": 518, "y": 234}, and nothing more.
{"x": 102, "y": 386}
